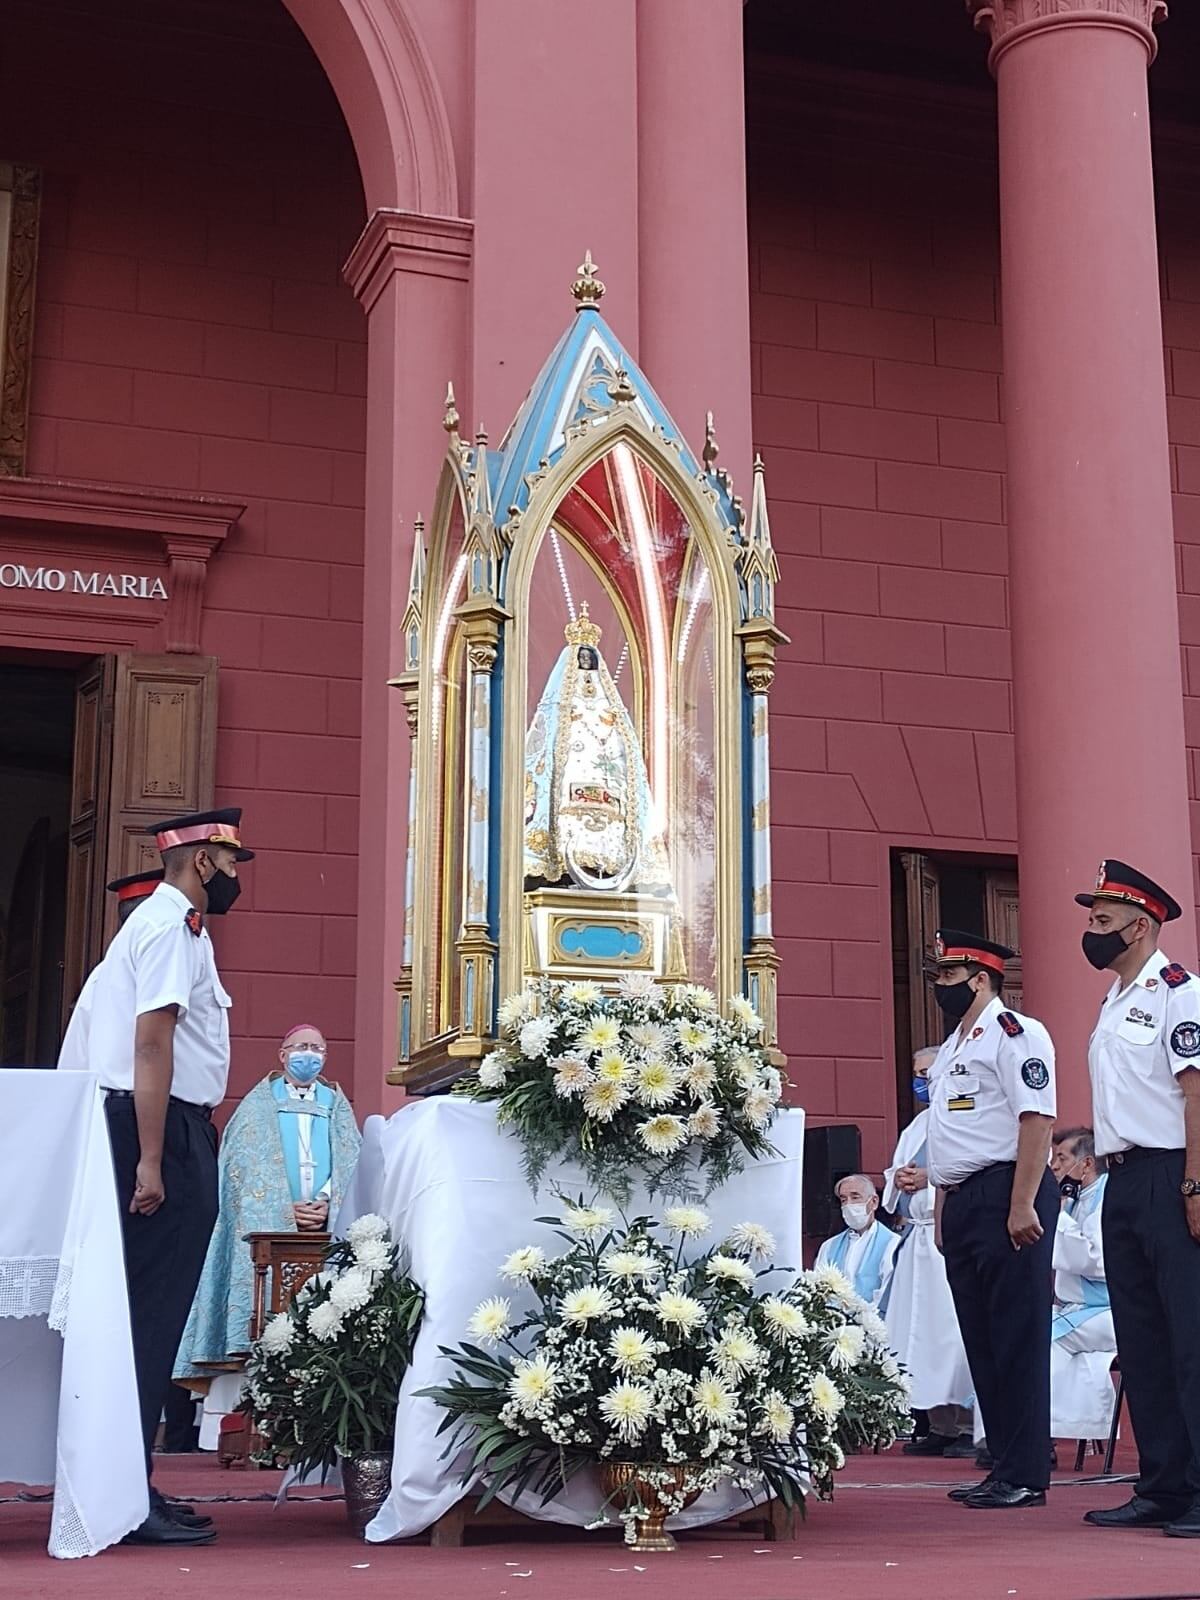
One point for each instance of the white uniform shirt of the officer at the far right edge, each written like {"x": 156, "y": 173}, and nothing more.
{"x": 1146, "y": 1034}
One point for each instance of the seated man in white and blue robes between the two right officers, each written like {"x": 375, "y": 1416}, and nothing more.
{"x": 1084, "y": 1340}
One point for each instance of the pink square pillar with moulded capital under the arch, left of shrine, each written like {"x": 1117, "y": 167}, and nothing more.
{"x": 410, "y": 274}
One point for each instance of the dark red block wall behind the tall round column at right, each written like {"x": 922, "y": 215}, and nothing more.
{"x": 879, "y": 409}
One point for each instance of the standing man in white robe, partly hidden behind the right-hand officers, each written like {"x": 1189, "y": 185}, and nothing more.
{"x": 919, "y": 1306}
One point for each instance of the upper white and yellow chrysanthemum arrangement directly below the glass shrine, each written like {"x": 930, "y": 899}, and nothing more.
{"x": 647, "y": 1082}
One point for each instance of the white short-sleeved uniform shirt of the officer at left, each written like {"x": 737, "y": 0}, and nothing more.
{"x": 153, "y": 962}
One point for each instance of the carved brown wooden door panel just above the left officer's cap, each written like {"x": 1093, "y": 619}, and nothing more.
{"x": 164, "y": 751}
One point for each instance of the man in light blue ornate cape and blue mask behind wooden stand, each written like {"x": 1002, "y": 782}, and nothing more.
{"x": 287, "y": 1158}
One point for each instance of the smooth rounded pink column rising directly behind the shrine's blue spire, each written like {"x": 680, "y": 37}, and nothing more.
{"x": 695, "y": 290}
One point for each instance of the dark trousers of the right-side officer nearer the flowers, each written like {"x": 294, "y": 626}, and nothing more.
{"x": 1004, "y": 1303}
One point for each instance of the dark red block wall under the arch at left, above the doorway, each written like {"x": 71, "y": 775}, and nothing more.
{"x": 193, "y": 332}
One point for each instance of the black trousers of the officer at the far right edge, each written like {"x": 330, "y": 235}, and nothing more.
{"x": 1153, "y": 1266}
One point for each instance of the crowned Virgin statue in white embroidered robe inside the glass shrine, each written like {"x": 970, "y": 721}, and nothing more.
{"x": 590, "y": 817}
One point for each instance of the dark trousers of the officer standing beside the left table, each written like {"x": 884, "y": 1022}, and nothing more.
{"x": 164, "y": 1254}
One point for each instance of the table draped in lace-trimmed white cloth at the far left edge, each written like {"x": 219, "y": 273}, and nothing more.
{"x": 68, "y": 1386}
